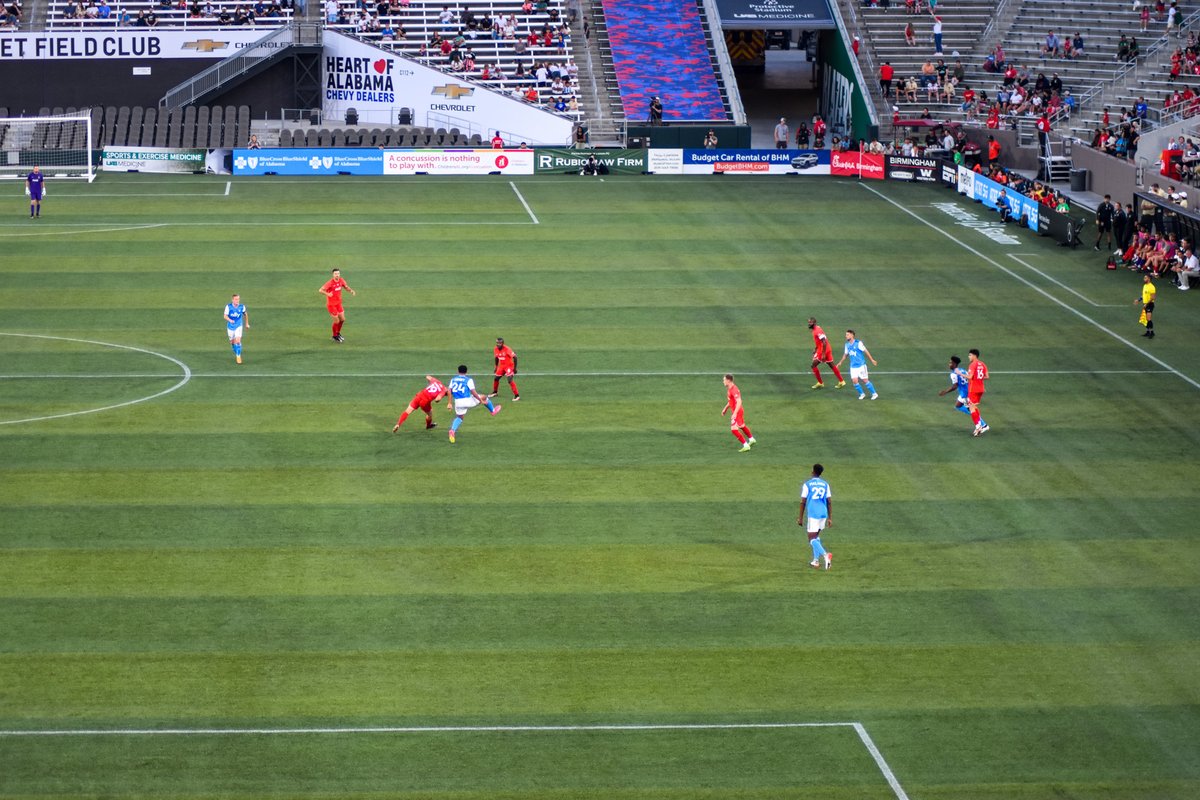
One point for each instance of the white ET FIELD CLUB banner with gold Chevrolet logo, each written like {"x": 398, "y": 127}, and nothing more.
{"x": 131, "y": 44}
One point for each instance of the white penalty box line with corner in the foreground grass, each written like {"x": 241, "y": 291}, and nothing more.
{"x": 877, "y": 756}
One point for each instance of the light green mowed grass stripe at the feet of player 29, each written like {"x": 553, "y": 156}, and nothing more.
{"x": 715, "y": 567}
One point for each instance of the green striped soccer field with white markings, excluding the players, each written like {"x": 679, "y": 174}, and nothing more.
{"x": 223, "y": 581}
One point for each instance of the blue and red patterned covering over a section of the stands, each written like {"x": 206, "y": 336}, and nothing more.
{"x": 667, "y": 50}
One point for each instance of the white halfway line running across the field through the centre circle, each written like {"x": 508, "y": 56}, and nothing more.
{"x": 238, "y": 374}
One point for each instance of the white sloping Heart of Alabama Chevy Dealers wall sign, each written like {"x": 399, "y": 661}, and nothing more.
{"x": 377, "y": 85}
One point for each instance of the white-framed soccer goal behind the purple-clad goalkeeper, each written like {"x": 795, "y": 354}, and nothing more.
{"x": 62, "y": 146}
